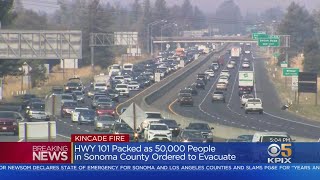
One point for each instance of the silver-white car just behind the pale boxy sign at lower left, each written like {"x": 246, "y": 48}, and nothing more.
{"x": 36, "y": 111}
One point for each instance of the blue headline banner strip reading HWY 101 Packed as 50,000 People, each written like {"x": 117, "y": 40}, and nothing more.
{"x": 195, "y": 153}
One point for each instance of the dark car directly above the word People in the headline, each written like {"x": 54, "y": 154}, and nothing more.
{"x": 189, "y": 135}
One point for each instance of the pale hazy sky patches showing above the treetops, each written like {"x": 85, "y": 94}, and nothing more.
{"x": 208, "y": 6}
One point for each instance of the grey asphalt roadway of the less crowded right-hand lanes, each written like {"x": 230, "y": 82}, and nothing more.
{"x": 231, "y": 114}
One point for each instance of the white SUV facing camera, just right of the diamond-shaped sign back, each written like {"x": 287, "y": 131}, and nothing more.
{"x": 157, "y": 132}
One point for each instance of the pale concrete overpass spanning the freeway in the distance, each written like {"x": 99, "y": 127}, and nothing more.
{"x": 209, "y": 39}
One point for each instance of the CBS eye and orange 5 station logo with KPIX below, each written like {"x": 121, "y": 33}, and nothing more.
{"x": 280, "y": 154}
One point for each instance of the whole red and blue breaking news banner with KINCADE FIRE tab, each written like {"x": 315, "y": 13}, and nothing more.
{"x": 106, "y": 149}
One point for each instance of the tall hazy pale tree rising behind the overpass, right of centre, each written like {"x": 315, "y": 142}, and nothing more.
{"x": 228, "y": 18}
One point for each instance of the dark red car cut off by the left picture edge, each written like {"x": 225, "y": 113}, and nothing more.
{"x": 9, "y": 122}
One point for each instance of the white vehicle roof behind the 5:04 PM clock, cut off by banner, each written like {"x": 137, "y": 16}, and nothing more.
{"x": 276, "y": 137}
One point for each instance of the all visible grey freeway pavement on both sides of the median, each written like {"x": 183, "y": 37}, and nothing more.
{"x": 229, "y": 113}
